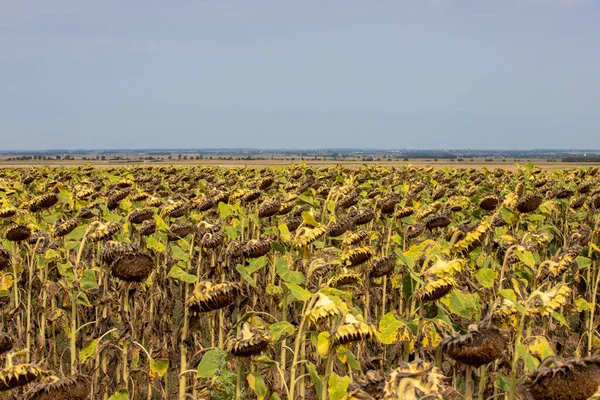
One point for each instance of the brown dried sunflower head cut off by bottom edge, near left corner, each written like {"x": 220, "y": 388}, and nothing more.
{"x": 77, "y": 387}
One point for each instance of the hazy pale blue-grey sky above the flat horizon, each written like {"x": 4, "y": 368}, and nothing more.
{"x": 509, "y": 74}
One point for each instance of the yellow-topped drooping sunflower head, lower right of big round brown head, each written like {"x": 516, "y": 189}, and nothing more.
{"x": 208, "y": 297}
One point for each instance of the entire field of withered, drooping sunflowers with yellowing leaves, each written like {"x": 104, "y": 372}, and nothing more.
{"x": 292, "y": 282}
